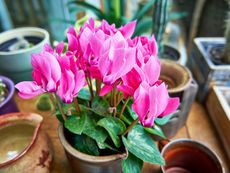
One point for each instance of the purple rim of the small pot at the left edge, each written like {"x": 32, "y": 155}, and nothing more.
{"x": 10, "y": 86}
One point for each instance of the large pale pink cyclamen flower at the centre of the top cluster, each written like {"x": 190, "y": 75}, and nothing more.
{"x": 117, "y": 58}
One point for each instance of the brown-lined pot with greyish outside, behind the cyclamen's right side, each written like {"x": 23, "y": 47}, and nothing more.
{"x": 180, "y": 84}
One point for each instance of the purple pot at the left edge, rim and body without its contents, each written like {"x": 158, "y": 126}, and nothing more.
{"x": 8, "y": 105}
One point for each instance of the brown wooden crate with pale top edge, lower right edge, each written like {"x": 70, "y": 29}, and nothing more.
{"x": 218, "y": 106}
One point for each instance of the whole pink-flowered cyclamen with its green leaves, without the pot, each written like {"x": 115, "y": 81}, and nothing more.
{"x": 124, "y": 102}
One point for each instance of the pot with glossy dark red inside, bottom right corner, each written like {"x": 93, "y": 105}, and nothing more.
{"x": 186, "y": 156}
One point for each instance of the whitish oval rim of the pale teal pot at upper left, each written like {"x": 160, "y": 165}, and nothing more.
{"x": 24, "y": 30}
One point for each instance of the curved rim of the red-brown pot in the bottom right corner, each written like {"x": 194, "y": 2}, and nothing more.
{"x": 199, "y": 145}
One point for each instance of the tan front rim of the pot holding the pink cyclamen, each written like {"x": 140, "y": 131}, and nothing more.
{"x": 85, "y": 157}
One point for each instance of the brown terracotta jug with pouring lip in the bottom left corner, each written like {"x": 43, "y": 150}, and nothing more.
{"x": 24, "y": 147}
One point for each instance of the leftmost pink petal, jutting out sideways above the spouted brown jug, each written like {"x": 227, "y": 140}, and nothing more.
{"x": 28, "y": 89}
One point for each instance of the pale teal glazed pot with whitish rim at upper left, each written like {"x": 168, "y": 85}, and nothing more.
{"x": 16, "y": 47}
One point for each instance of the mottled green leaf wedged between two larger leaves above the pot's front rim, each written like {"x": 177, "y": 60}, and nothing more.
{"x": 92, "y": 130}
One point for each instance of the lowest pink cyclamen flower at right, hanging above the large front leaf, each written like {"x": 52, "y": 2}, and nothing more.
{"x": 151, "y": 102}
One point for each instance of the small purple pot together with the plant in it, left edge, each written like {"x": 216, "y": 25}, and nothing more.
{"x": 7, "y": 102}
